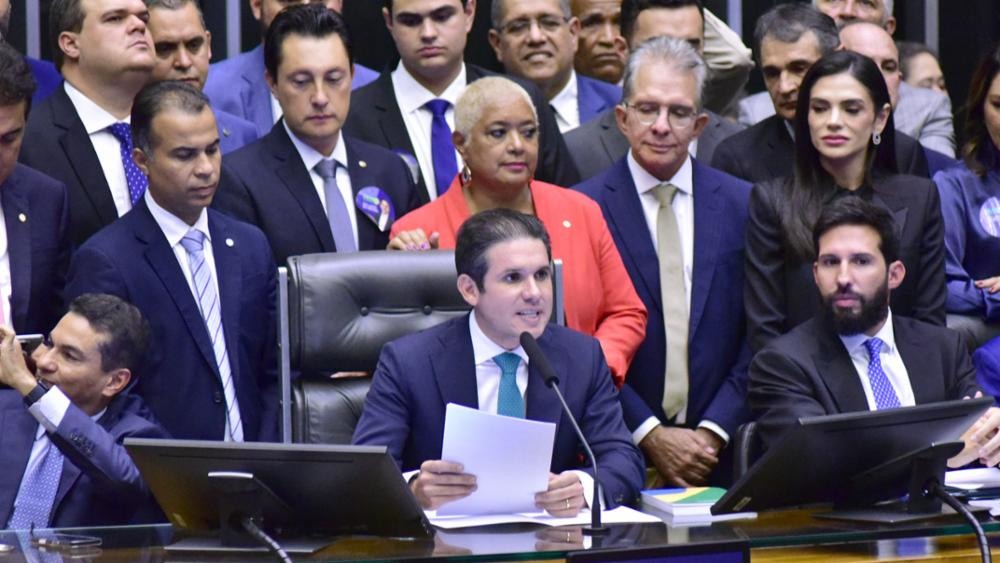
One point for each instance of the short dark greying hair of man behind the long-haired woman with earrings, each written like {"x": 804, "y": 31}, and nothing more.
{"x": 787, "y": 23}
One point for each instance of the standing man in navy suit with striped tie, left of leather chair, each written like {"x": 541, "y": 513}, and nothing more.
{"x": 205, "y": 282}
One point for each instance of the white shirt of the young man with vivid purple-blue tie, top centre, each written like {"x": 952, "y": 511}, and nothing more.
{"x": 411, "y": 97}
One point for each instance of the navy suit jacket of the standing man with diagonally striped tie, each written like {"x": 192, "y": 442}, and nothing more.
{"x": 180, "y": 378}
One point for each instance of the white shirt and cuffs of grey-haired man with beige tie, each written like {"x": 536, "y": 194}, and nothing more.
{"x": 683, "y": 207}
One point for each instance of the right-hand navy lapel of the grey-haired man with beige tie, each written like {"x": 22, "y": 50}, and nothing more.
{"x": 707, "y": 229}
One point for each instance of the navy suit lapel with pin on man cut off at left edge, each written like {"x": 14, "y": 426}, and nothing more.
{"x": 15, "y": 206}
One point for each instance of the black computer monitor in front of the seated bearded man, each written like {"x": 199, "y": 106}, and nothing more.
{"x": 820, "y": 459}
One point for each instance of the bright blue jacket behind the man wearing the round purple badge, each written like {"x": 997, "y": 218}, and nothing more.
{"x": 236, "y": 85}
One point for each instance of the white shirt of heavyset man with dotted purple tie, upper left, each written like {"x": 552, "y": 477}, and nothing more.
{"x": 96, "y": 121}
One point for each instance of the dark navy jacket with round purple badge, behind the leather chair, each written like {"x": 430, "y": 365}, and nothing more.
{"x": 266, "y": 184}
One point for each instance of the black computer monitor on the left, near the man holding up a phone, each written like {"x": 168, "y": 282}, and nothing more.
{"x": 297, "y": 489}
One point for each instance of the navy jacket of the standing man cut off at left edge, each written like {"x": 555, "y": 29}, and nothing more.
{"x": 36, "y": 213}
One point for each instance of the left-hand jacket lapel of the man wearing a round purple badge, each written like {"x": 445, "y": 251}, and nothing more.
{"x": 298, "y": 182}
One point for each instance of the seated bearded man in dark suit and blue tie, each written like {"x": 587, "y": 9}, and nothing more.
{"x": 856, "y": 355}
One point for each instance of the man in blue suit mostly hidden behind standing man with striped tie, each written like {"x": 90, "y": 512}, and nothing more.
{"x": 183, "y": 49}
